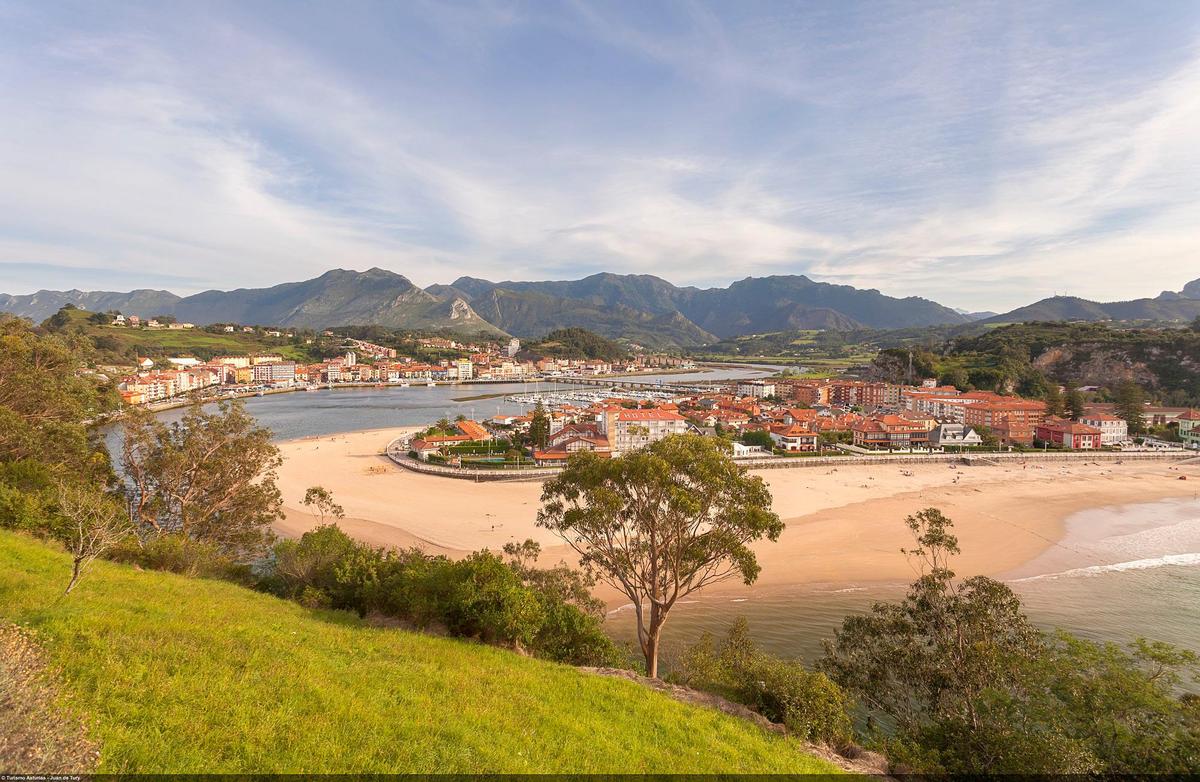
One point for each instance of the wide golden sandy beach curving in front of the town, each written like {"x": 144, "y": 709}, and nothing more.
{"x": 844, "y": 524}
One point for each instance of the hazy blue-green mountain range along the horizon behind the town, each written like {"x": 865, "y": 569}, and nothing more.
{"x": 641, "y": 309}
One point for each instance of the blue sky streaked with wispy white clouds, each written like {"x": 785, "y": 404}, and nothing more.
{"x": 980, "y": 154}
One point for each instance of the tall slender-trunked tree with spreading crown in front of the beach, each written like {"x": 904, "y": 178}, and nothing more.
{"x": 661, "y": 524}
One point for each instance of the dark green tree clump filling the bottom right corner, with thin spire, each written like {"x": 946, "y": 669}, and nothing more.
{"x": 969, "y": 687}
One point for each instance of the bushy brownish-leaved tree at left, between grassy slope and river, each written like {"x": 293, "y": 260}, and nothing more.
{"x": 209, "y": 477}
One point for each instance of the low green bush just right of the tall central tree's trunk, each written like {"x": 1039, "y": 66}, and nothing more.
{"x": 811, "y": 705}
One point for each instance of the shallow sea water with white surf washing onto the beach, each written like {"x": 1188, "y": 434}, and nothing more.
{"x": 1119, "y": 574}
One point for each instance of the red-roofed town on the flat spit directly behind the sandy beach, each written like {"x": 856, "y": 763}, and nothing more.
{"x": 784, "y": 418}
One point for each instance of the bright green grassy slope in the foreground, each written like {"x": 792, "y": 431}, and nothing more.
{"x": 176, "y": 676}
